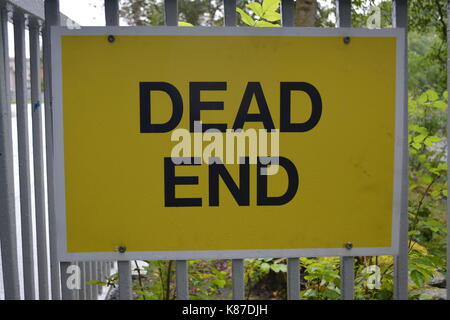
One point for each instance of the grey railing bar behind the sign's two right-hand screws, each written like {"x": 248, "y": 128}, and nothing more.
{"x": 344, "y": 20}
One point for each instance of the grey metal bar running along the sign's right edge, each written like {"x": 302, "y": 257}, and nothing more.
{"x": 400, "y": 20}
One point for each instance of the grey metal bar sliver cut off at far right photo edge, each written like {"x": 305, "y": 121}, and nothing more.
{"x": 448, "y": 153}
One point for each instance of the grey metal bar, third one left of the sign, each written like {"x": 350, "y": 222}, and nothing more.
{"x": 24, "y": 155}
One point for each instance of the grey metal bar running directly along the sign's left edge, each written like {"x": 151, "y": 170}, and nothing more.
{"x": 52, "y": 18}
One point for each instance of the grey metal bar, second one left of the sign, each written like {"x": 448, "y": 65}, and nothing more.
{"x": 38, "y": 150}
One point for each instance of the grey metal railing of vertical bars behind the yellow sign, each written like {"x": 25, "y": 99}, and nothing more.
{"x": 39, "y": 16}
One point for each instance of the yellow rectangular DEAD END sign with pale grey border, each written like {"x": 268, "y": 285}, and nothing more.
{"x": 183, "y": 143}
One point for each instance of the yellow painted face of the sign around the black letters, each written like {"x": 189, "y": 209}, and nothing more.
{"x": 114, "y": 174}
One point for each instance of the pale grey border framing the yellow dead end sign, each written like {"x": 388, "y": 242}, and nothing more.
{"x": 58, "y": 141}
